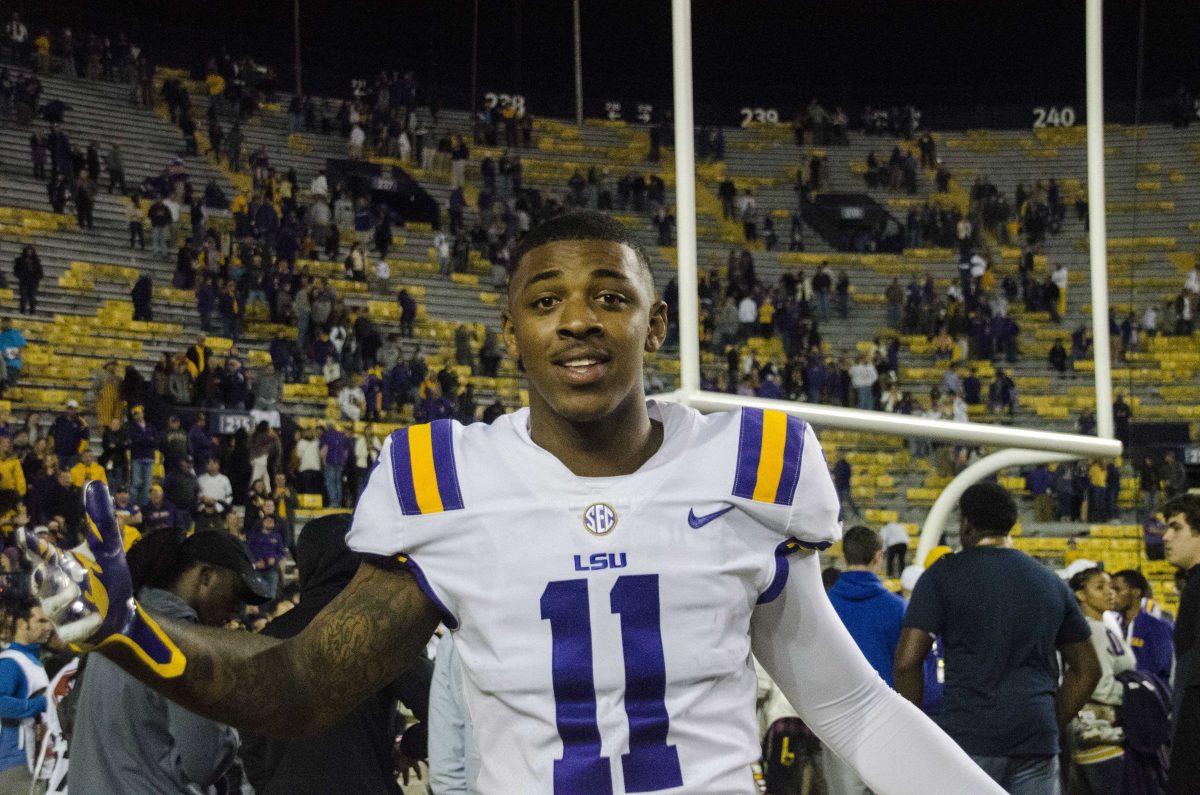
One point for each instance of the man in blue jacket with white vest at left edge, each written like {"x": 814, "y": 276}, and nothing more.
{"x": 22, "y": 695}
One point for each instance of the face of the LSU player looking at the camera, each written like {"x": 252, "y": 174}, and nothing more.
{"x": 581, "y": 318}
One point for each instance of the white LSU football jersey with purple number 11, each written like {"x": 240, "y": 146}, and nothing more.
{"x": 604, "y": 624}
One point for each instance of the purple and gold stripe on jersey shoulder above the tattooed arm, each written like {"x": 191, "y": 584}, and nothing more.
{"x": 424, "y": 469}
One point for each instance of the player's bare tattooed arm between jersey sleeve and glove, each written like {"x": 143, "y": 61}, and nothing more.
{"x": 362, "y": 642}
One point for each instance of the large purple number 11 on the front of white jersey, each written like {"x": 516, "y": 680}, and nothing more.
{"x": 651, "y": 763}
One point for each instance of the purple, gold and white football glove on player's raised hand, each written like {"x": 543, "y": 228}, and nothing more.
{"x": 92, "y": 602}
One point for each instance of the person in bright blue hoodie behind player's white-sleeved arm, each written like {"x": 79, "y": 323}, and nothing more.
{"x": 874, "y": 617}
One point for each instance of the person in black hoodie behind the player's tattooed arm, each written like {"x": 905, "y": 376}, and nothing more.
{"x": 355, "y": 756}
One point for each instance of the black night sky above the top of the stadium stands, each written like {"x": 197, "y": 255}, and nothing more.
{"x": 959, "y": 61}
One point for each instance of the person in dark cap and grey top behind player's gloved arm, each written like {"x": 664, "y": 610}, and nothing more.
{"x": 130, "y": 739}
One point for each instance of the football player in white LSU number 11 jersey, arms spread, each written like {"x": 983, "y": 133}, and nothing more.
{"x": 607, "y": 563}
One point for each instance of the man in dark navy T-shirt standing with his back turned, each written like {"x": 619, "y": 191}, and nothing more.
{"x": 1001, "y": 618}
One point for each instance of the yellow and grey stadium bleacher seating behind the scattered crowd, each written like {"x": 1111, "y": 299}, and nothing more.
{"x": 87, "y": 319}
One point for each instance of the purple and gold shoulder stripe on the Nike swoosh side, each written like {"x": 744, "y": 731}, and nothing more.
{"x": 770, "y": 449}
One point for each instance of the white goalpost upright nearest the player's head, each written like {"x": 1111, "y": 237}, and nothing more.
{"x": 686, "y": 200}
